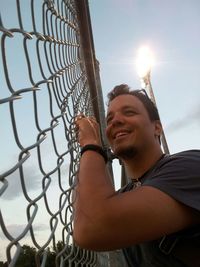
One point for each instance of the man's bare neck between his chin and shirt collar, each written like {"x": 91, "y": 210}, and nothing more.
{"x": 139, "y": 164}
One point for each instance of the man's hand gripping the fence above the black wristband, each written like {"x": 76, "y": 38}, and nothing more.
{"x": 87, "y": 130}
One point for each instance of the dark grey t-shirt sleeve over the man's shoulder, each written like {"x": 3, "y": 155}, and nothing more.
{"x": 179, "y": 177}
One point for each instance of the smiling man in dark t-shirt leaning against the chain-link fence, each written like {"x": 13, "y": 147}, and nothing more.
{"x": 156, "y": 223}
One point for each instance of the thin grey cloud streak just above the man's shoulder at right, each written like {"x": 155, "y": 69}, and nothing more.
{"x": 185, "y": 121}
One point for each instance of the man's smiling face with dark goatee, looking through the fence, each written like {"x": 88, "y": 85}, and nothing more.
{"x": 129, "y": 128}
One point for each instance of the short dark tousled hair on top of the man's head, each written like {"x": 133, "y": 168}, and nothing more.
{"x": 124, "y": 89}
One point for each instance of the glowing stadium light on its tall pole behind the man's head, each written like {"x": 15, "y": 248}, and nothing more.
{"x": 145, "y": 62}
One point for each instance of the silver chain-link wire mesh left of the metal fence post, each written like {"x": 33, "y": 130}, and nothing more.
{"x": 43, "y": 87}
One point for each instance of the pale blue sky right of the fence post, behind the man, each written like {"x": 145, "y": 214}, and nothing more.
{"x": 171, "y": 30}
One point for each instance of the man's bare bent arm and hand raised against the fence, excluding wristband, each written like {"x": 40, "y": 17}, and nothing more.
{"x": 105, "y": 220}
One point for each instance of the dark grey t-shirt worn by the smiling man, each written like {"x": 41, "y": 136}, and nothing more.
{"x": 177, "y": 175}
